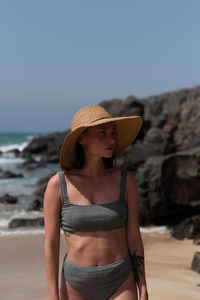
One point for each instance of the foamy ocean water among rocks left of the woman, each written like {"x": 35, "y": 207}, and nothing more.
{"x": 22, "y": 187}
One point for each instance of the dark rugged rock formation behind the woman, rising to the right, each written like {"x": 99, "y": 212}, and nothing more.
{"x": 165, "y": 157}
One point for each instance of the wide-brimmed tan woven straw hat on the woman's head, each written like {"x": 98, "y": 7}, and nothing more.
{"x": 127, "y": 129}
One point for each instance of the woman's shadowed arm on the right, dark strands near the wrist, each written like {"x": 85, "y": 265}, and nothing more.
{"x": 135, "y": 244}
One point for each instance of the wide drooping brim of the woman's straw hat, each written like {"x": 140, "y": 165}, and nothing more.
{"x": 127, "y": 129}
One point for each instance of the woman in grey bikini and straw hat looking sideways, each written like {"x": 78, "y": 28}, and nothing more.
{"x": 97, "y": 207}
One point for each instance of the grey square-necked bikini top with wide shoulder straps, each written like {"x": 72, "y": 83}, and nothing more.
{"x": 104, "y": 216}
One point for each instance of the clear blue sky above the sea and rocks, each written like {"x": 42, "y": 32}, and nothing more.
{"x": 58, "y": 56}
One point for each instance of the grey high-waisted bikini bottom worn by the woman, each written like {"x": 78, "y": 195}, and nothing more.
{"x": 97, "y": 282}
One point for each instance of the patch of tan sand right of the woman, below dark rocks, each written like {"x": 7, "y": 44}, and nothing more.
{"x": 168, "y": 272}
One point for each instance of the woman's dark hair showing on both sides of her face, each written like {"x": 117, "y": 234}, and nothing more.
{"x": 79, "y": 158}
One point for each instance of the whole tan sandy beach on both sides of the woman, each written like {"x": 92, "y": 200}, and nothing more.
{"x": 168, "y": 272}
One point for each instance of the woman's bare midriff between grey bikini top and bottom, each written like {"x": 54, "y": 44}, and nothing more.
{"x": 97, "y": 248}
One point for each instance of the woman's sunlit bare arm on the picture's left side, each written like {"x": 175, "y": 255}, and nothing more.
{"x": 52, "y": 206}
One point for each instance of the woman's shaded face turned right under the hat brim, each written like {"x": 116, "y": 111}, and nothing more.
{"x": 99, "y": 140}
